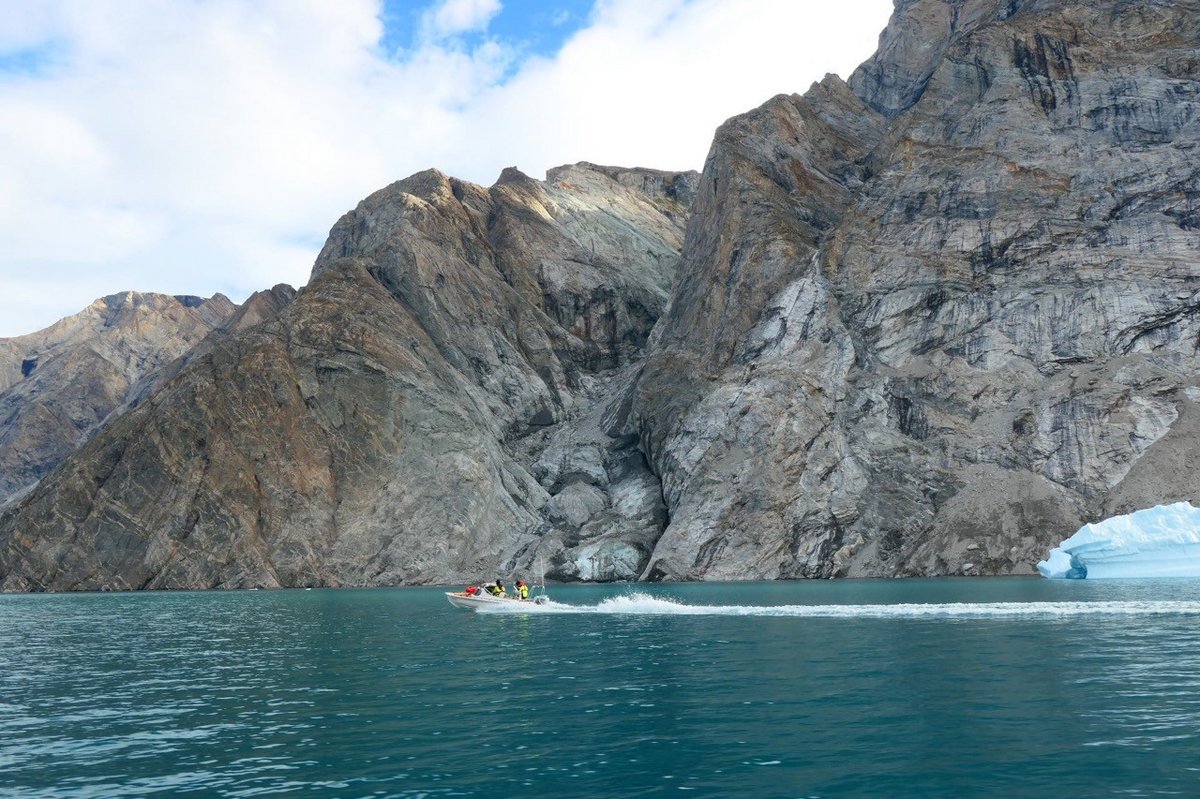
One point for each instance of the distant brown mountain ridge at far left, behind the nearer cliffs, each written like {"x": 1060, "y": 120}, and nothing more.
{"x": 58, "y": 386}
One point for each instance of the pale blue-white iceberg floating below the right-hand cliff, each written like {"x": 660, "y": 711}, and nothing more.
{"x": 1162, "y": 542}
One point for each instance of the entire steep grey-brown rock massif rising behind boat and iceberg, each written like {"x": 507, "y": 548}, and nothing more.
{"x": 926, "y": 322}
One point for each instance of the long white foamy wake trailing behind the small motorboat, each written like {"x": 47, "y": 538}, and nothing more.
{"x": 646, "y": 605}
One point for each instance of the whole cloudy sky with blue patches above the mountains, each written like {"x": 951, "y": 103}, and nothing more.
{"x": 208, "y": 146}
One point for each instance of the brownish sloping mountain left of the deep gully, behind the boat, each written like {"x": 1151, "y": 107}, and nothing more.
{"x": 387, "y": 425}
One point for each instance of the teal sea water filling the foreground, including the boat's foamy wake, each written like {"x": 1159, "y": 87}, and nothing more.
{"x": 956, "y": 688}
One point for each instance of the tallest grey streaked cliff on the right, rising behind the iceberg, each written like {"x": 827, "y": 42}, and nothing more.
{"x": 932, "y": 321}
